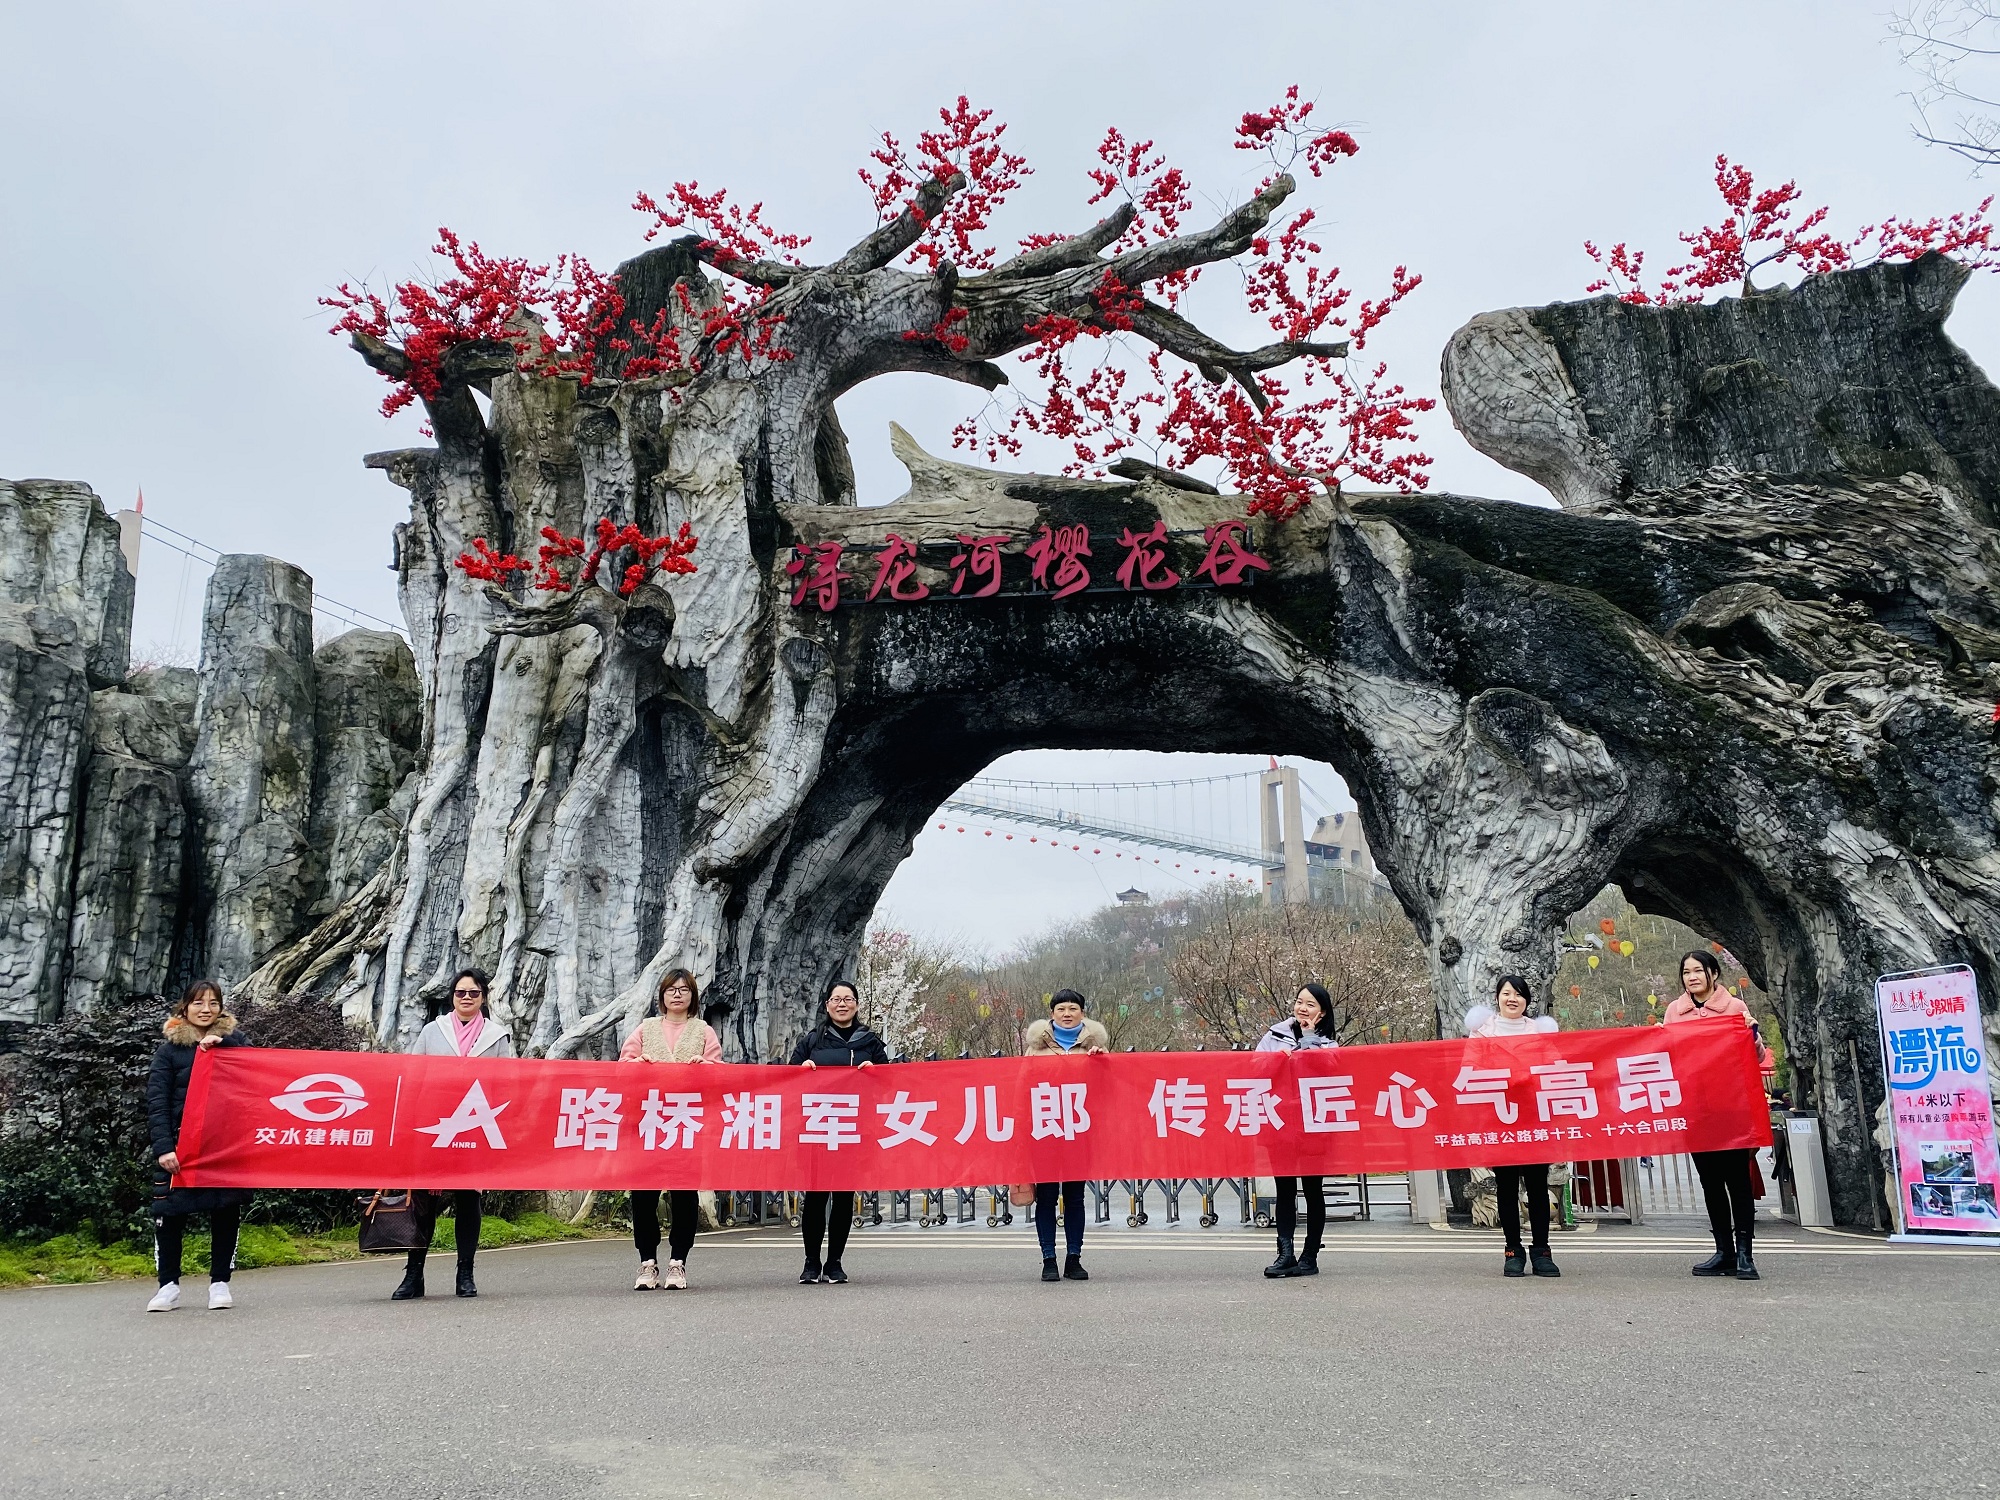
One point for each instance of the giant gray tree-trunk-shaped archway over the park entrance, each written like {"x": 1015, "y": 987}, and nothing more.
{"x": 1747, "y": 669}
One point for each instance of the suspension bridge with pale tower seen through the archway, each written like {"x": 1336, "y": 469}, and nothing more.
{"x": 1253, "y": 821}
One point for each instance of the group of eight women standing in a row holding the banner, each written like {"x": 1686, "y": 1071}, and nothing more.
{"x": 841, "y": 1039}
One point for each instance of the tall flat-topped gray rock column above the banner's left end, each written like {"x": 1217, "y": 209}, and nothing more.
{"x": 251, "y": 773}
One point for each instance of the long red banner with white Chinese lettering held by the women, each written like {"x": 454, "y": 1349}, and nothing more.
{"x": 275, "y": 1119}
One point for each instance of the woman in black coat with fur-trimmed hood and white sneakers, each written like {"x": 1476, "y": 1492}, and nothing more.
{"x": 195, "y": 1025}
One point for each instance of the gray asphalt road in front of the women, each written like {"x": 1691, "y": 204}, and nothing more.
{"x": 1407, "y": 1369}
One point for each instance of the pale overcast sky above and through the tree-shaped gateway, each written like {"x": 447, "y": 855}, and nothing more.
{"x": 183, "y": 183}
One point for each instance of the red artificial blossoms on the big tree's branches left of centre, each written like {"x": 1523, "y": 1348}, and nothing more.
{"x": 1113, "y": 373}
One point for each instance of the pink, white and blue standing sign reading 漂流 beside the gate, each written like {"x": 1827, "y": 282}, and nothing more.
{"x": 1933, "y": 1051}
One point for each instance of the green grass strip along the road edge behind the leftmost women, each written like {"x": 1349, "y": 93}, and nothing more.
{"x": 73, "y": 1259}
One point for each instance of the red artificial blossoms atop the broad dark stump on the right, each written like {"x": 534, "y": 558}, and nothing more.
{"x": 1759, "y": 231}
